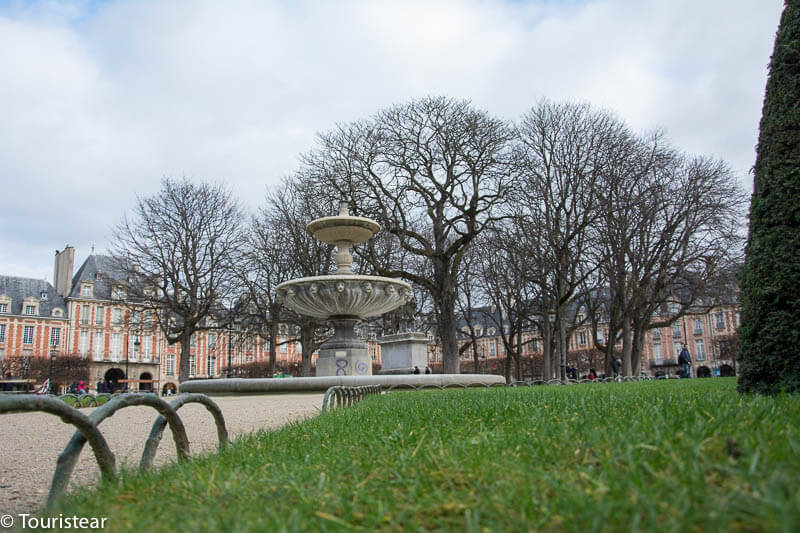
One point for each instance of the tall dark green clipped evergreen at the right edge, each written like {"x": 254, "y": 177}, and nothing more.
{"x": 770, "y": 279}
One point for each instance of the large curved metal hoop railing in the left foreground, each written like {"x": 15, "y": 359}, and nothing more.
{"x": 88, "y": 431}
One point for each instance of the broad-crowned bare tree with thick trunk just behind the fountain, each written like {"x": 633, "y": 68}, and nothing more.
{"x": 434, "y": 173}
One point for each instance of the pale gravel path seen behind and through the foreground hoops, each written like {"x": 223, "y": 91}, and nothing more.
{"x": 31, "y": 442}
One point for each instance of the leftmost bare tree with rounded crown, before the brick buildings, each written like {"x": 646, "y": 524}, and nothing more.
{"x": 177, "y": 253}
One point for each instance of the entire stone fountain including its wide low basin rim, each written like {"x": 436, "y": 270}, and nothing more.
{"x": 344, "y": 299}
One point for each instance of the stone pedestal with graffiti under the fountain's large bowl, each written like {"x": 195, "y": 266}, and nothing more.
{"x": 344, "y": 354}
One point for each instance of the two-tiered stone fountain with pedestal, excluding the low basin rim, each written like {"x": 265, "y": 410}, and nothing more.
{"x": 343, "y": 298}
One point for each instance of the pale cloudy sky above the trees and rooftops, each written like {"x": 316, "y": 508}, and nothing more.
{"x": 100, "y": 100}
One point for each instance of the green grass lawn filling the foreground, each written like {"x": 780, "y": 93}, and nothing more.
{"x": 677, "y": 455}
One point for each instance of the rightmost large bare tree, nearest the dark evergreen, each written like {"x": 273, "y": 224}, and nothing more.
{"x": 671, "y": 229}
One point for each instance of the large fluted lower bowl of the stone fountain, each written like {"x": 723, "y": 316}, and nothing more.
{"x": 344, "y": 294}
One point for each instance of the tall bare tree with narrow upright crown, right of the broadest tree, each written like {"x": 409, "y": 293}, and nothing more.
{"x": 564, "y": 152}
